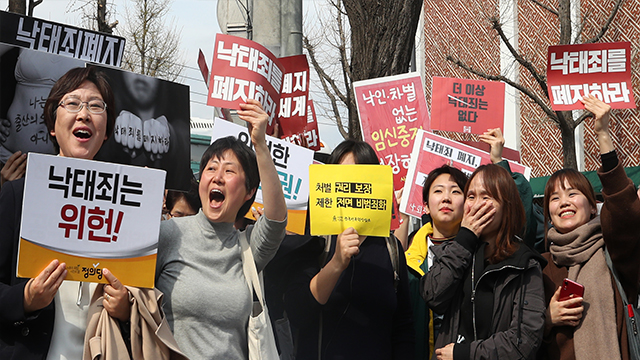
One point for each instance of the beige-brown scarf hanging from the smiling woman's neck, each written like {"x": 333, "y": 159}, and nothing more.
{"x": 582, "y": 251}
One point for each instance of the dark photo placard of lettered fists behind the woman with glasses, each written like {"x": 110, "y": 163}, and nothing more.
{"x": 152, "y": 126}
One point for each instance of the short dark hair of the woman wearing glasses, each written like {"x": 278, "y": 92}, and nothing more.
{"x": 71, "y": 81}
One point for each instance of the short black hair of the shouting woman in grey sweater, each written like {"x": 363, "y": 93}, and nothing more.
{"x": 247, "y": 159}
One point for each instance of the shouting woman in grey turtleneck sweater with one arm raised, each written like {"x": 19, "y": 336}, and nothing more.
{"x": 200, "y": 263}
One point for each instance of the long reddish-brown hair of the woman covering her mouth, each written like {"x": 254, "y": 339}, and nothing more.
{"x": 501, "y": 186}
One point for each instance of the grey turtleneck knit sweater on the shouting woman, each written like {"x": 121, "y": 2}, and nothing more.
{"x": 199, "y": 269}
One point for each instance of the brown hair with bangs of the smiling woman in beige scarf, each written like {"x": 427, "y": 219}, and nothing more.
{"x": 576, "y": 180}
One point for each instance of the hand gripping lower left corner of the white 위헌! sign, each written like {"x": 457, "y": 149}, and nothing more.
{"x": 40, "y": 291}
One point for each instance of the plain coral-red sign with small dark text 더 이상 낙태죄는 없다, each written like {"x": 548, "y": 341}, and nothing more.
{"x": 467, "y": 106}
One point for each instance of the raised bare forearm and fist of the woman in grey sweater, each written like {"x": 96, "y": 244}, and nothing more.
{"x": 275, "y": 207}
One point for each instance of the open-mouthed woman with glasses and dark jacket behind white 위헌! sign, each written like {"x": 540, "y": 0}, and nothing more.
{"x": 46, "y": 317}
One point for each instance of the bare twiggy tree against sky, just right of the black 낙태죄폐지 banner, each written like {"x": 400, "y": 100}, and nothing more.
{"x": 155, "y": 42}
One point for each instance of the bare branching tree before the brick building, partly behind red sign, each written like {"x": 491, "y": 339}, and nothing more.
{"x": 540, "y": 95}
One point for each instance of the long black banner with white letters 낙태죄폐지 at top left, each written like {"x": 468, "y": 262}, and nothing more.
{"x": 55, "y": 38}
